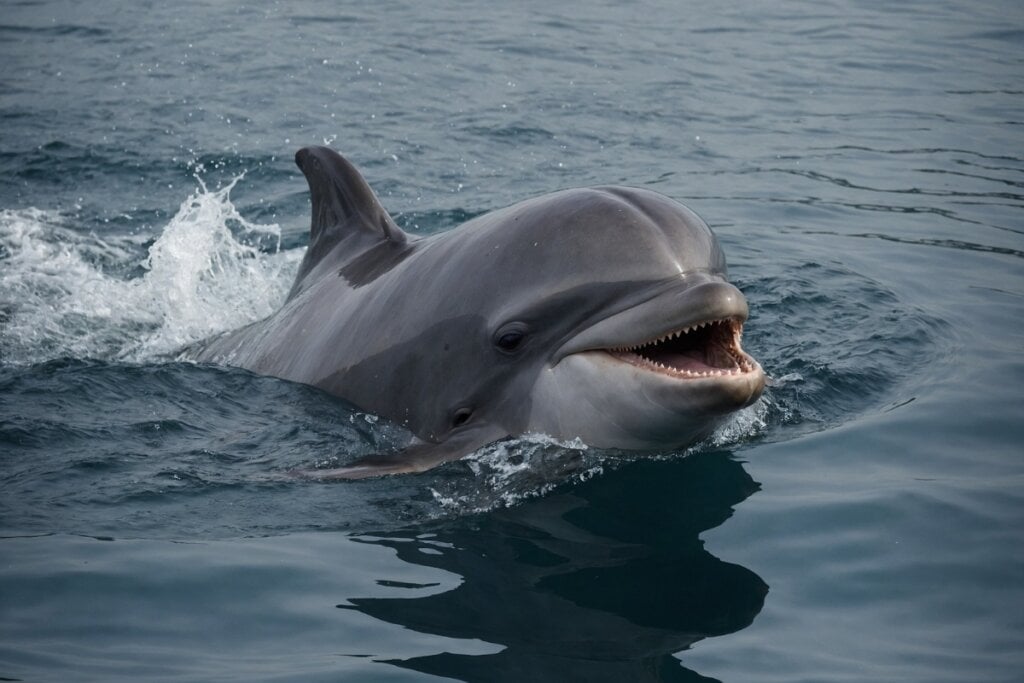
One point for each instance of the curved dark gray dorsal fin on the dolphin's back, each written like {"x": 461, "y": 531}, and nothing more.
{"x": 345, "y": 210}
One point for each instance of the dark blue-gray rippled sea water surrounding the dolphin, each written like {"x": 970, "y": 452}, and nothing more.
{"x": 863, "y": 164}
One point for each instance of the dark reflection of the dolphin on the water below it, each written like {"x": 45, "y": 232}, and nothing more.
{"x": 605, "y": 582}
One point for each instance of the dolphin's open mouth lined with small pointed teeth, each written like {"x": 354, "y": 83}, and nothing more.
{"x": 706, "y": 350}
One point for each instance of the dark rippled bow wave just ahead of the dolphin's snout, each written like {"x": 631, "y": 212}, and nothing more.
{"x": 837, "y": 344}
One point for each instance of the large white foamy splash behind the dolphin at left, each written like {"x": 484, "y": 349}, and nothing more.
{"x": 61, "y": 295}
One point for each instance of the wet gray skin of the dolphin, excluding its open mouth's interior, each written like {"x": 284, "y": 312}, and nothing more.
{"x": 508, "y": 324}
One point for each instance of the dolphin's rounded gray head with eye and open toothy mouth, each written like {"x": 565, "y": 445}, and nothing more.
{"x": 602, "y": 314}
